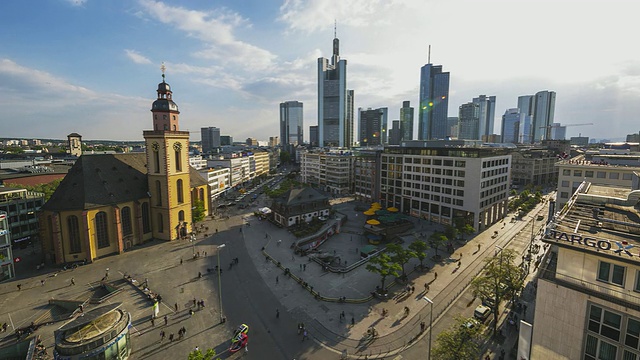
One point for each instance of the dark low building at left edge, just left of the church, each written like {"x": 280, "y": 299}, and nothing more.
{"x": 22, "y": 207}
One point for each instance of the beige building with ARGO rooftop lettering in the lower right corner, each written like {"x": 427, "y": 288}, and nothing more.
{"x": 588, "y": 287}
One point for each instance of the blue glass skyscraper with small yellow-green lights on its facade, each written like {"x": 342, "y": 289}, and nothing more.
{"x": 434, "y": 101}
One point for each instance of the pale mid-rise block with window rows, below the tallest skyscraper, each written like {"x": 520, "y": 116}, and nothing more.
{"x": 331, "y": 170}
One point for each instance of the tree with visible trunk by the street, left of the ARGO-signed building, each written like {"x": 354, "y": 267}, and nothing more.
{"x": 500, "y": 279}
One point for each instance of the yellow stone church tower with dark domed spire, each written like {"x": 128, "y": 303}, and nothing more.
{"x": 167, "y": 151}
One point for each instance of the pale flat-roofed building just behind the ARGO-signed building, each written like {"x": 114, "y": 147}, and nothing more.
{"x": 602, "y": 167}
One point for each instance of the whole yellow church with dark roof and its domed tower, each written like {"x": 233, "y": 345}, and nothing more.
{"x": 108, "y": 203}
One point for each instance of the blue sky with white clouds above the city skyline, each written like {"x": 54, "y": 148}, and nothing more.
{"x": 92, "y": 66}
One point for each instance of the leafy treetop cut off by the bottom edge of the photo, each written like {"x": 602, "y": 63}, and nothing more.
{"x": 459, "y": 342}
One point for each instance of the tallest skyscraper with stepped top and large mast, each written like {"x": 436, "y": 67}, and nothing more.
{"x": 335, "y": 101}
